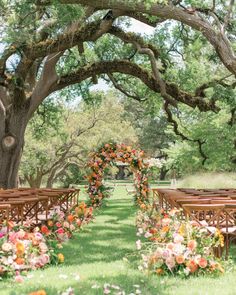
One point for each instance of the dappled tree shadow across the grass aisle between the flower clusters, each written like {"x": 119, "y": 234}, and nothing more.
{"x": 108, "y": 239}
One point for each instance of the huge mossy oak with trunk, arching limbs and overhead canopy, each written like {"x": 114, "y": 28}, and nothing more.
{"x": 49, "y": 46}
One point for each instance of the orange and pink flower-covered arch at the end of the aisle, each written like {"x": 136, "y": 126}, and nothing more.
{"x": 109, "y": 154}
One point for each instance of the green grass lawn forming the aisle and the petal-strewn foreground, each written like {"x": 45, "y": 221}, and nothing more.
{"x": 96, "y": 256}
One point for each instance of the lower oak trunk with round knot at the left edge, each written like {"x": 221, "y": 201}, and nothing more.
{"x": 12, "y": 130}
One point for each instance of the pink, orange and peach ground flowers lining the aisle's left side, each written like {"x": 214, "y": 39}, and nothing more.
{"x": 27, "y": 247}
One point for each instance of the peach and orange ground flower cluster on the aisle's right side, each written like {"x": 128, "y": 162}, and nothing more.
{"x": 176, "y": 246}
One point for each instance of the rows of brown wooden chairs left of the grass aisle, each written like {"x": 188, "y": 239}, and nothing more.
{"x": 19, "y": 205}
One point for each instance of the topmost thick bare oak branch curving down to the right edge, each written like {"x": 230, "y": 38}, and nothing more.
{"x": 223, "y": 48}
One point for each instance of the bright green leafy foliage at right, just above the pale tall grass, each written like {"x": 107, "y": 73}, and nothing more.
{"x": 214, "y": 131}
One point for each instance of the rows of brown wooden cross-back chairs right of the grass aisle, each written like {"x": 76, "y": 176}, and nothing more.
{"x": 214, "y": 209}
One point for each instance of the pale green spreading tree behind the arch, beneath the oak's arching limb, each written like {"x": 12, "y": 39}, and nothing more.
{"x": 52, "y": 152}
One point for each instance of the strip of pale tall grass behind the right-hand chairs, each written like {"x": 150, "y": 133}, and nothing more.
{"x": 209, "y": 180}
